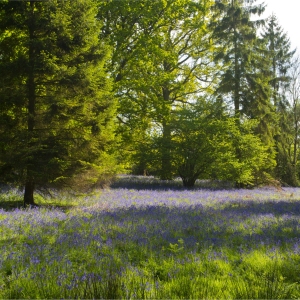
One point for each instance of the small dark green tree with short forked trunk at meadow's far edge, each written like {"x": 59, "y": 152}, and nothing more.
{"x": 194, "y": 141}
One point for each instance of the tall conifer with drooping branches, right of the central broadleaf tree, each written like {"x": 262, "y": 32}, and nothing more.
{"x": 244, "y": 81}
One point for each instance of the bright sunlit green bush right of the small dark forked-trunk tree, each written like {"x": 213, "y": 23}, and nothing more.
{"x": 243, "y": 158}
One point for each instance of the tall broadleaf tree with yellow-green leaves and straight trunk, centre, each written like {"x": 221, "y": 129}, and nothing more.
{"x": 161, "y": 58}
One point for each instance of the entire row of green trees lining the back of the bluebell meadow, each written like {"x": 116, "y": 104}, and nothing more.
{"x": 189, "y": 88}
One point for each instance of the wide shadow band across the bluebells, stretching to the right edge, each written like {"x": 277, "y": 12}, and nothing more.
{"x": 250, "y": 226}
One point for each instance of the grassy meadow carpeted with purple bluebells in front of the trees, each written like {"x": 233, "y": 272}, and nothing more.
{"x": 143, "y": 239}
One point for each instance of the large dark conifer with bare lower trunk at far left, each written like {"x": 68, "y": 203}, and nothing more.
{"x": 56, "y": 108}
